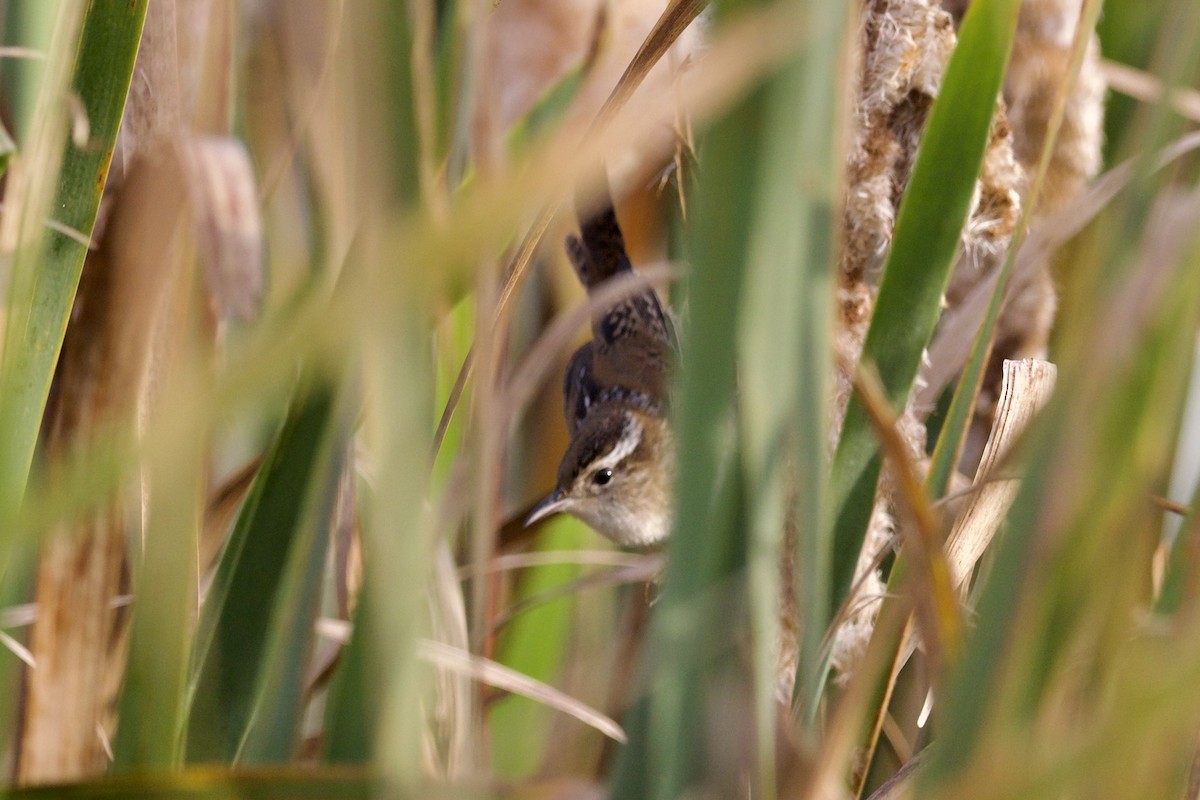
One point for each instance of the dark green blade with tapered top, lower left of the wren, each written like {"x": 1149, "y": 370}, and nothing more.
{"x": 257, "y": 623}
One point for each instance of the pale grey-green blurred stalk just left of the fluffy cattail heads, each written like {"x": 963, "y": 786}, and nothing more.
{"x": 784, "y": 354}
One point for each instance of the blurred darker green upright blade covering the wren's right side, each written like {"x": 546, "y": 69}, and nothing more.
{"x": 704, "y": 605}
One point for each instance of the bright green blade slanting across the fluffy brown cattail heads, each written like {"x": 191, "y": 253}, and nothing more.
{"x": 927, "y": 237}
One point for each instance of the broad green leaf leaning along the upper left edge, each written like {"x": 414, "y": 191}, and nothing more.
{"x": 50, "y": 256}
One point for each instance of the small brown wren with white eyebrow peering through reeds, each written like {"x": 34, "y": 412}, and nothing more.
{"x": 619, "y": 471}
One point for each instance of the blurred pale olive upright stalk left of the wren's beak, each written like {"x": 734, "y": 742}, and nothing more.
{"x": 377, "y": 715}
